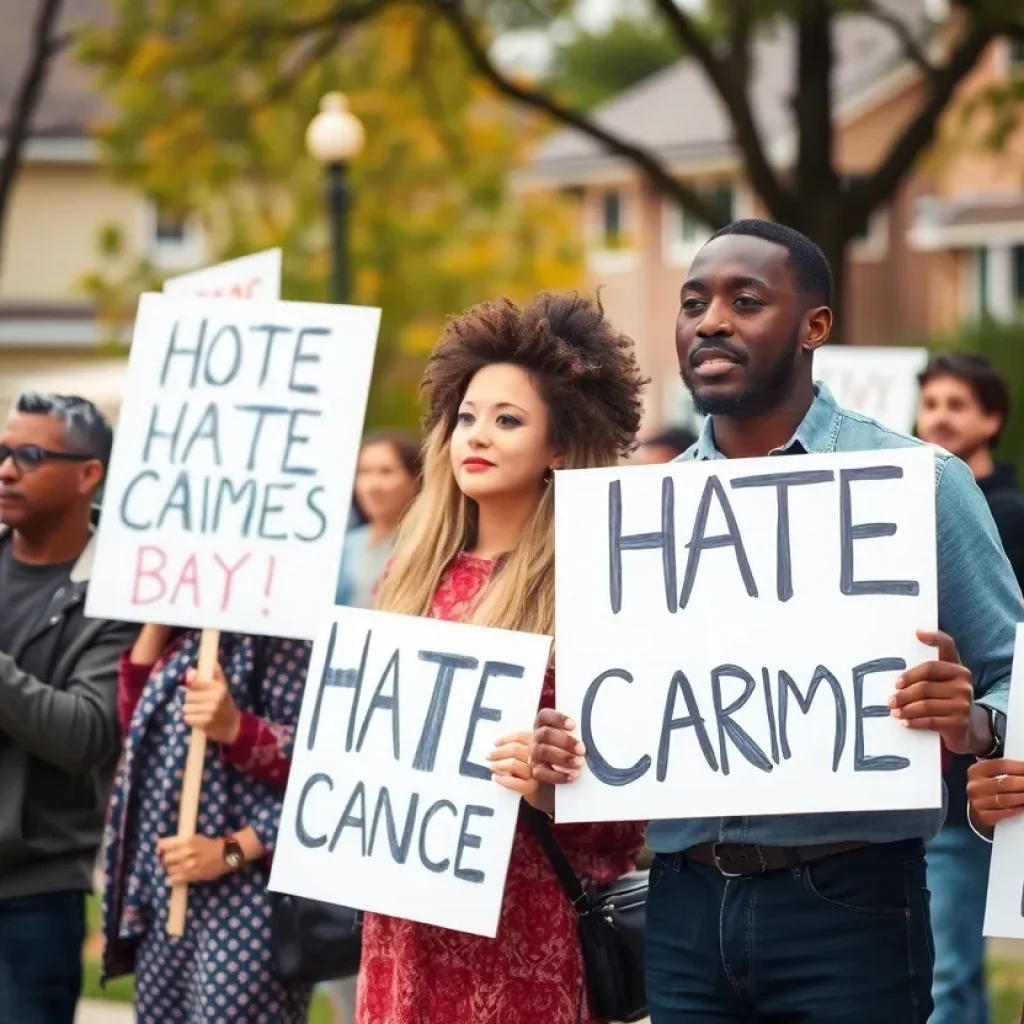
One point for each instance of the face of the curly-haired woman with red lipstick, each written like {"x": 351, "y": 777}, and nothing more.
{"x": 500, "y": 446}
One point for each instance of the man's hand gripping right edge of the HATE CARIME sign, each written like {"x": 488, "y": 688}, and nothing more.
{"x": 937, "y": 696}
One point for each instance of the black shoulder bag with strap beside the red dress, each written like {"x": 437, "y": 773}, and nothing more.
{"x": 612, "y": 932}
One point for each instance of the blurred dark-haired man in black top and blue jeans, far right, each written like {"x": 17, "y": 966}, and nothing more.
{"x": 963, "y": 408}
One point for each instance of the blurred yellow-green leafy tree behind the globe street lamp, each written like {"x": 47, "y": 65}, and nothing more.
{"x": 435, "y": 228}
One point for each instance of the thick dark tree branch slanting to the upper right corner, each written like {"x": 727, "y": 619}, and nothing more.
{"x": 872, "y": 191}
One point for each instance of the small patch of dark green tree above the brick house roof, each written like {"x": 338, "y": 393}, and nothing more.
{"x": 595, "y": 65}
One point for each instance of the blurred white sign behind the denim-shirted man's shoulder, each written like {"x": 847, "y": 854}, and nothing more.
{"x": 875, "y": 381}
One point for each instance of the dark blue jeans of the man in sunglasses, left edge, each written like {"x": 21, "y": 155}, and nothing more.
{"x": 41, "y": 958}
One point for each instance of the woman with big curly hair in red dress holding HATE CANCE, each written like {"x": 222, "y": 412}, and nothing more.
{"x": 515, "y": 395}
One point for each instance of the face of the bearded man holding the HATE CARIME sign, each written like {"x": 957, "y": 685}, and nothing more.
{"x": 741, "y": 327}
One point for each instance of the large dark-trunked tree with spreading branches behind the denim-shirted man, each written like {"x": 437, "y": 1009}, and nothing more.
{"x": 812, "y": 196}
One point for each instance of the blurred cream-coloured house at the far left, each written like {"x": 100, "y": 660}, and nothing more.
{"x": 63, "y": 200}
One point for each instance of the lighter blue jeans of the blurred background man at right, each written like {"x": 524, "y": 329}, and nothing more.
{"x": 958, "y": 876}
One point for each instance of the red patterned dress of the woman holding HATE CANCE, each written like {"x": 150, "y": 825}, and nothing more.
{"x": 532, "y": 973}
